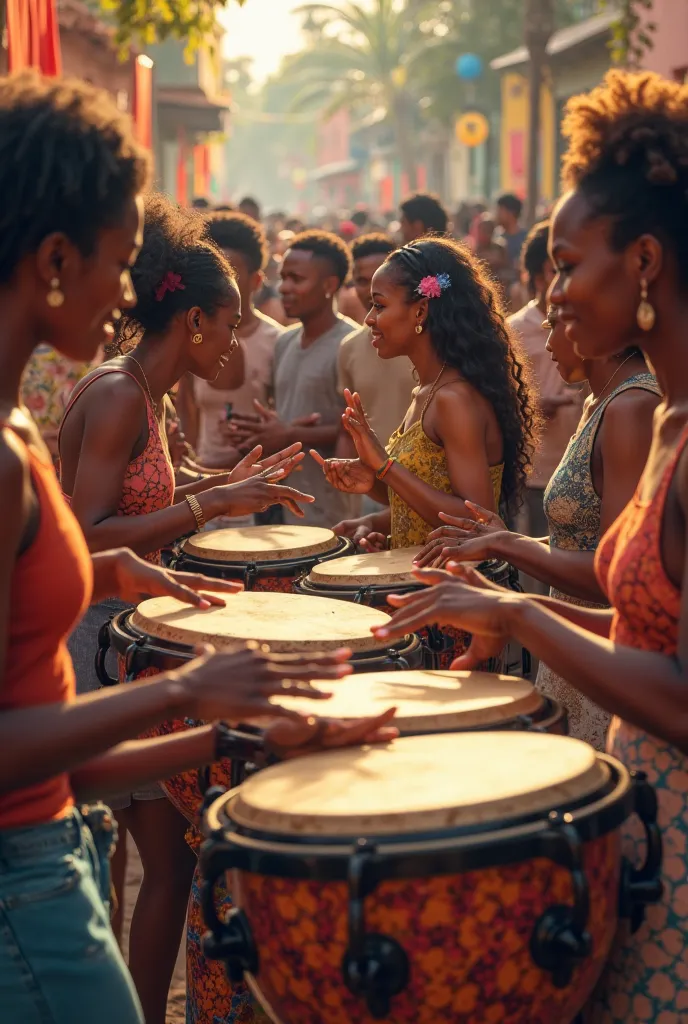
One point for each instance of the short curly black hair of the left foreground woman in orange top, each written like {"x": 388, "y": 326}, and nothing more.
{"x": 69, "y": 163}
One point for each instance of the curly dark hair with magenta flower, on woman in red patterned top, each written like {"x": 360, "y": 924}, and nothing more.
{"x": 175, "y": 244}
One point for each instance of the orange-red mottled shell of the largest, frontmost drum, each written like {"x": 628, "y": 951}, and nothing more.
{"x": 466, "y": 933}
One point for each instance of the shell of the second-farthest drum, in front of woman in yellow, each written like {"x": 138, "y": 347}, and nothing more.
{"x": 446, "y": 644}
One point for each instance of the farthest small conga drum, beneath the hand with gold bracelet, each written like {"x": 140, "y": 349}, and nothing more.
{"x": 262, "y": 558}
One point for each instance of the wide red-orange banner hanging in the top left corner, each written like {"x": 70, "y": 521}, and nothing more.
{"x": 33, "y": 36}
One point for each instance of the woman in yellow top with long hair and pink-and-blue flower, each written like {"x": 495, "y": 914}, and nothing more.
{"x": 469, "y": 431}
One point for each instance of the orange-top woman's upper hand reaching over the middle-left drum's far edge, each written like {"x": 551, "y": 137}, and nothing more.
{"x": 137, "y": 580}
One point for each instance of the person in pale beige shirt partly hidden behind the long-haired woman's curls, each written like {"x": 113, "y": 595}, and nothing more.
{"x": 561, "y": 406}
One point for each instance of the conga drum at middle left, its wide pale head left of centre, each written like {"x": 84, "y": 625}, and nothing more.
{"x": 162, "y": 634}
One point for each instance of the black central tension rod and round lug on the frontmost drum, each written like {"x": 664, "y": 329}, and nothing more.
{"x": 375, "y": 967}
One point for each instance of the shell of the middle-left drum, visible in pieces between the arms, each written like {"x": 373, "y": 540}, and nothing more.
{"x": 141, "y": 657}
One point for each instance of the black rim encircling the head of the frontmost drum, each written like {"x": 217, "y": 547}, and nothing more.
{"x": 447, "y": 851}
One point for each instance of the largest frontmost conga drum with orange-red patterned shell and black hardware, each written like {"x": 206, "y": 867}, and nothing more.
{"x": 472, "y": 879}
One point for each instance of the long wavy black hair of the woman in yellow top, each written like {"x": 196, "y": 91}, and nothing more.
{"x": 468, "y": 331}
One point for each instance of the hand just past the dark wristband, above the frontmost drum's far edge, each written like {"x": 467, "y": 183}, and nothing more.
{"x": 290, "y": 740}
